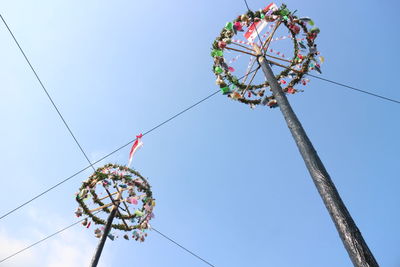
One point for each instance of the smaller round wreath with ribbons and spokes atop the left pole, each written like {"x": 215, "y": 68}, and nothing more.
{"x": 131, "y": 194}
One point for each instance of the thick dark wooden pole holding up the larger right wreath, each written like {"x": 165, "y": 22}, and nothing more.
{"x": 351, "y": 237}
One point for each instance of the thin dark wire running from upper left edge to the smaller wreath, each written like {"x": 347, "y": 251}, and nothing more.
{"x": 47, "y": 93}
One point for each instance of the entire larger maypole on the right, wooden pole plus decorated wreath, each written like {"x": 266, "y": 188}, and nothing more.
{"x": 305, "y": 57}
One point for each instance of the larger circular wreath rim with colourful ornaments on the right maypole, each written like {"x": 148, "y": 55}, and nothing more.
{"x": 303, "y": 60}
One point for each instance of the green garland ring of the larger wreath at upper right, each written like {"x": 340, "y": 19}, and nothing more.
{"x": 294, "y": 24}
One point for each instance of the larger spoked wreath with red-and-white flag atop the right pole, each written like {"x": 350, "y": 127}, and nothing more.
{"x": 244, "y": 36}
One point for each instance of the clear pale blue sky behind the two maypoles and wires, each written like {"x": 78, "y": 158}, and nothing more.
{"x": 229, "y": 181}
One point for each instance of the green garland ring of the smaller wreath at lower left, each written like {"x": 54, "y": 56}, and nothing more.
{"x": 129, "y": 178}
